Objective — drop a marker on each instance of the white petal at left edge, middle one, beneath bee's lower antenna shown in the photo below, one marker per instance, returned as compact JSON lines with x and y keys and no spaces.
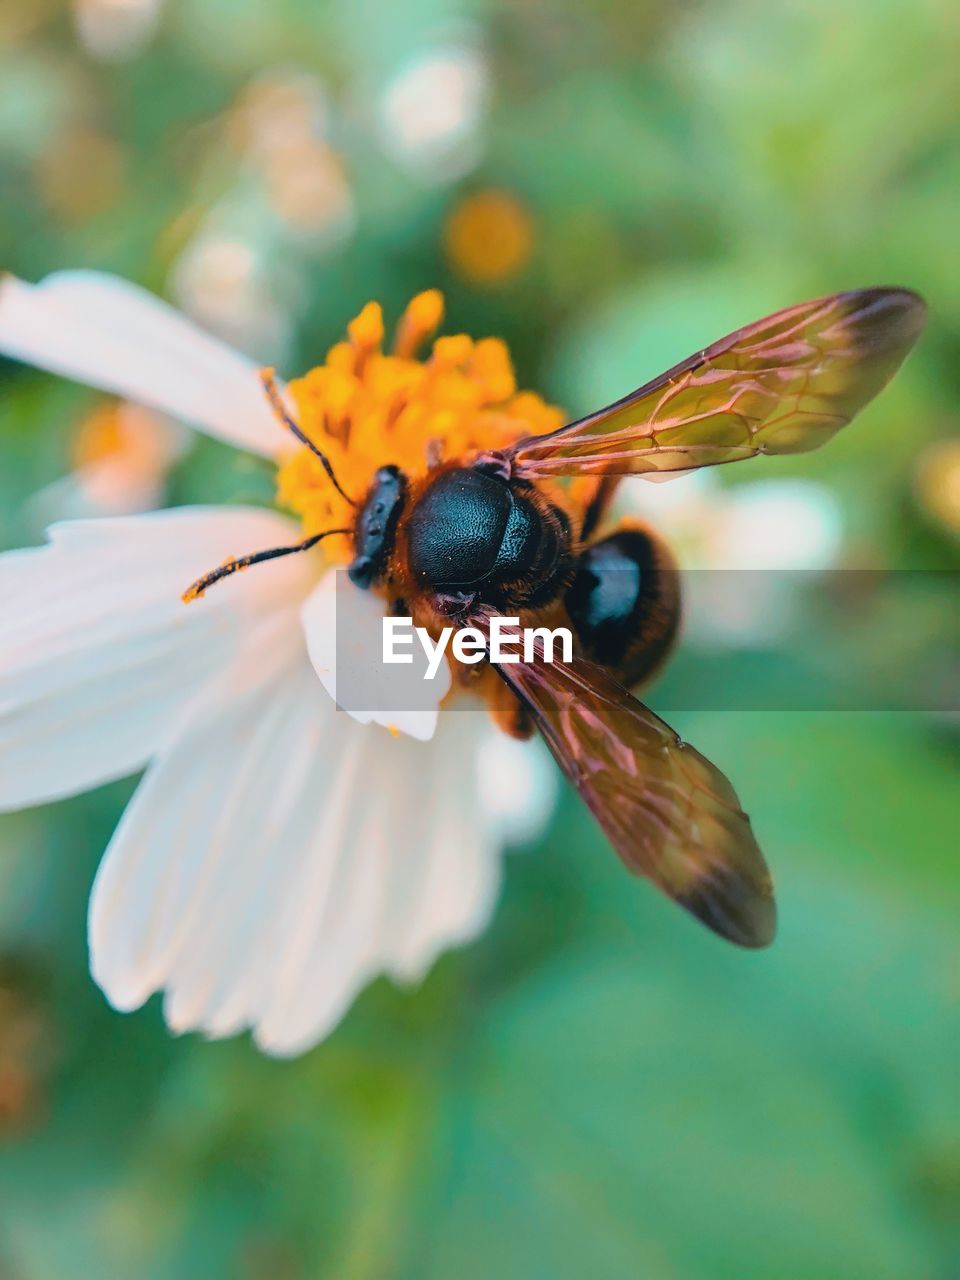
{"x":98,"y":652}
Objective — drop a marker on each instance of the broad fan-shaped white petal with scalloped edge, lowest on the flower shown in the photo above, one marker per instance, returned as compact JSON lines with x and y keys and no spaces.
{"x":278,"y":857}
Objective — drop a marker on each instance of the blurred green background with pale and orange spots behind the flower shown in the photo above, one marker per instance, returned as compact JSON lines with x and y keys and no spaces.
{"x":596,"y":1087}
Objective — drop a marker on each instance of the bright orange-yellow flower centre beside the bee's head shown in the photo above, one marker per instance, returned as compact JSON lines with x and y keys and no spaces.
{"x":367,"y":409}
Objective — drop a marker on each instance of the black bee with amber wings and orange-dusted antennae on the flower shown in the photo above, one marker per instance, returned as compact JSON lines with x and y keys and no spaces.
{"x":497,"y":534}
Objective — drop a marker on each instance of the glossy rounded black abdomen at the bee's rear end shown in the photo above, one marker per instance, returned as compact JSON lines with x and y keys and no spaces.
{"x":624,"y":604}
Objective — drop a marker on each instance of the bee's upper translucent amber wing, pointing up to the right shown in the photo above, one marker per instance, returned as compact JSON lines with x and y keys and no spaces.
{"x":785,"y":385}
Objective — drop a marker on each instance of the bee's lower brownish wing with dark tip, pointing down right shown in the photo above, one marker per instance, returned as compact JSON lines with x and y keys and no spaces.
{"x":670,"y":815}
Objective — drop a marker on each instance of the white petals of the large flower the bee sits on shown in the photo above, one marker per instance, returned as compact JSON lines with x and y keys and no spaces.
{"x":277,"y":854}
